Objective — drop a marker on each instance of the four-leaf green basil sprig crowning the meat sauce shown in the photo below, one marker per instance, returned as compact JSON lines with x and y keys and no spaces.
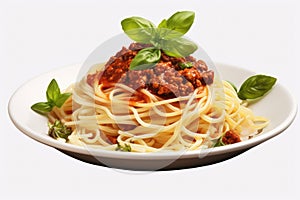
{"x":167,"y":37}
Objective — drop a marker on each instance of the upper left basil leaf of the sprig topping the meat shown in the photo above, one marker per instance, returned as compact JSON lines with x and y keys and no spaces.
{"x":138,"y":29}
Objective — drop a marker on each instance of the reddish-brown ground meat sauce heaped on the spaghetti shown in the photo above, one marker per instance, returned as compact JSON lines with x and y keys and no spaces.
{"x":166,"y":79}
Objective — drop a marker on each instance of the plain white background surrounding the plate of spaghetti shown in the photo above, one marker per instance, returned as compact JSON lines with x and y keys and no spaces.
{"x":39,"y":36}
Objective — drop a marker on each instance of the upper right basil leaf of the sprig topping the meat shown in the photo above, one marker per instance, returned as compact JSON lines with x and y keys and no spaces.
{"x":178,"y":24}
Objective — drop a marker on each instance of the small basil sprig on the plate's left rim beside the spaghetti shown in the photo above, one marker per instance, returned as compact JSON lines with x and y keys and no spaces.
{"x":54,"y":98}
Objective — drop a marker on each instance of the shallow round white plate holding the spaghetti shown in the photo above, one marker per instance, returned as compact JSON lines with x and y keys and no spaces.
{"x":35,"y":126}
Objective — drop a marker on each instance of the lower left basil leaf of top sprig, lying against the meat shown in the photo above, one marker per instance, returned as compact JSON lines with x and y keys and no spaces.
{"x":146,"y":58}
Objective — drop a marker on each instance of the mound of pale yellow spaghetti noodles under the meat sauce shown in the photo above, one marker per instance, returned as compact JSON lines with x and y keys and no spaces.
{"x":100,"y":117}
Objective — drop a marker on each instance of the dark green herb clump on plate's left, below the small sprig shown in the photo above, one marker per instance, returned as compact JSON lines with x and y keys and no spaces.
{"x":59,"y":130}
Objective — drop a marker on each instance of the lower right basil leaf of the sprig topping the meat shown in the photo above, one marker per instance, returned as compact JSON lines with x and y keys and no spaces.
{"x":179,"y":47}
